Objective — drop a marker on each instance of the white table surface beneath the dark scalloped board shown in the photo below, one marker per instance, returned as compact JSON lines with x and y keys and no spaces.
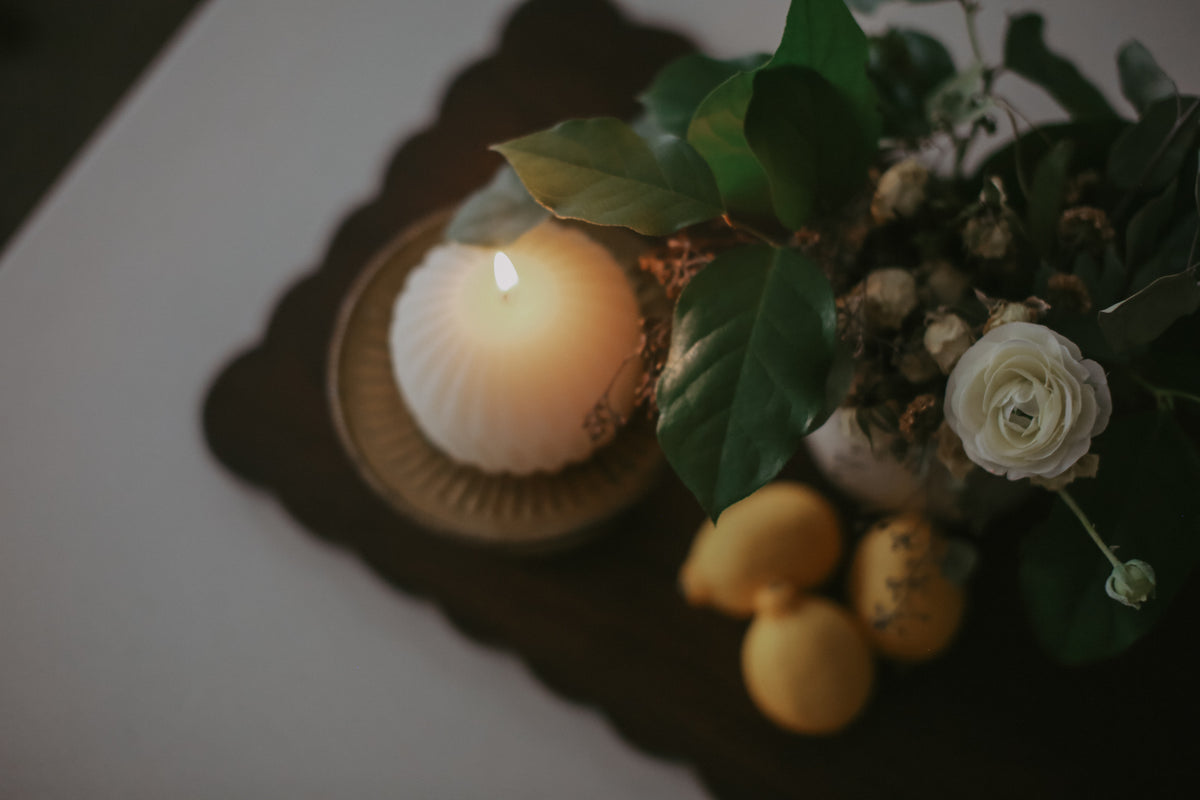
{"x":167,"y":631}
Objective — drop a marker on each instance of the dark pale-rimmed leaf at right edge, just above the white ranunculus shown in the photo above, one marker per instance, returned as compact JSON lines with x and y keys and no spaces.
{"x":1143,"y":317}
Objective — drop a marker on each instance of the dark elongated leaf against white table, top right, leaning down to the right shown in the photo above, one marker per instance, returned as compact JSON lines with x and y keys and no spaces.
{"x":1027,"y":55}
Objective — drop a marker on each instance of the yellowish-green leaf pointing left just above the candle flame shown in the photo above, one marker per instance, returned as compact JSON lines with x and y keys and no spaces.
{"x":601,"y":172}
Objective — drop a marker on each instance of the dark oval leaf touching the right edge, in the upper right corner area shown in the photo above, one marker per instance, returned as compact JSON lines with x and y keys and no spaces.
{"x":1150,"y":154}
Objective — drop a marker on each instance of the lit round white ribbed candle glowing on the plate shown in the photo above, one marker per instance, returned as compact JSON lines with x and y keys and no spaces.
{"x":502,"y":356}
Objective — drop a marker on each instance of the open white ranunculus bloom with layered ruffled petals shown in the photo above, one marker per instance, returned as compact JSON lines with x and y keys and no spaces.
{"x":1025,"y":402}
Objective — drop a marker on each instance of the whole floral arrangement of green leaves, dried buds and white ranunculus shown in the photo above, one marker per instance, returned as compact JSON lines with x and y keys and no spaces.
{"x":814,"y":221}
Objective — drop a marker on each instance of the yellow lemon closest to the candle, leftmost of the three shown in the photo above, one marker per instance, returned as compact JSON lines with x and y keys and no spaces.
{"x":784,"y":533}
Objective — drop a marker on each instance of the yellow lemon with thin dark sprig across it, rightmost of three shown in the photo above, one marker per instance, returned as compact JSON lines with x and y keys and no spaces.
{"x":909,"y":607}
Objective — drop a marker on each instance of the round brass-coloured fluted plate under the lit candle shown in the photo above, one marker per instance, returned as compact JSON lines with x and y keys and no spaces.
{"x":393,"y":456}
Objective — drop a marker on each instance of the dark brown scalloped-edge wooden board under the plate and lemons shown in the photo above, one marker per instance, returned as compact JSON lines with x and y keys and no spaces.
{"x":604,"y":624}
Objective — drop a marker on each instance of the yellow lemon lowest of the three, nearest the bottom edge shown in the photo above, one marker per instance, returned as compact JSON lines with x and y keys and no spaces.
{"x":807,"y":665}
